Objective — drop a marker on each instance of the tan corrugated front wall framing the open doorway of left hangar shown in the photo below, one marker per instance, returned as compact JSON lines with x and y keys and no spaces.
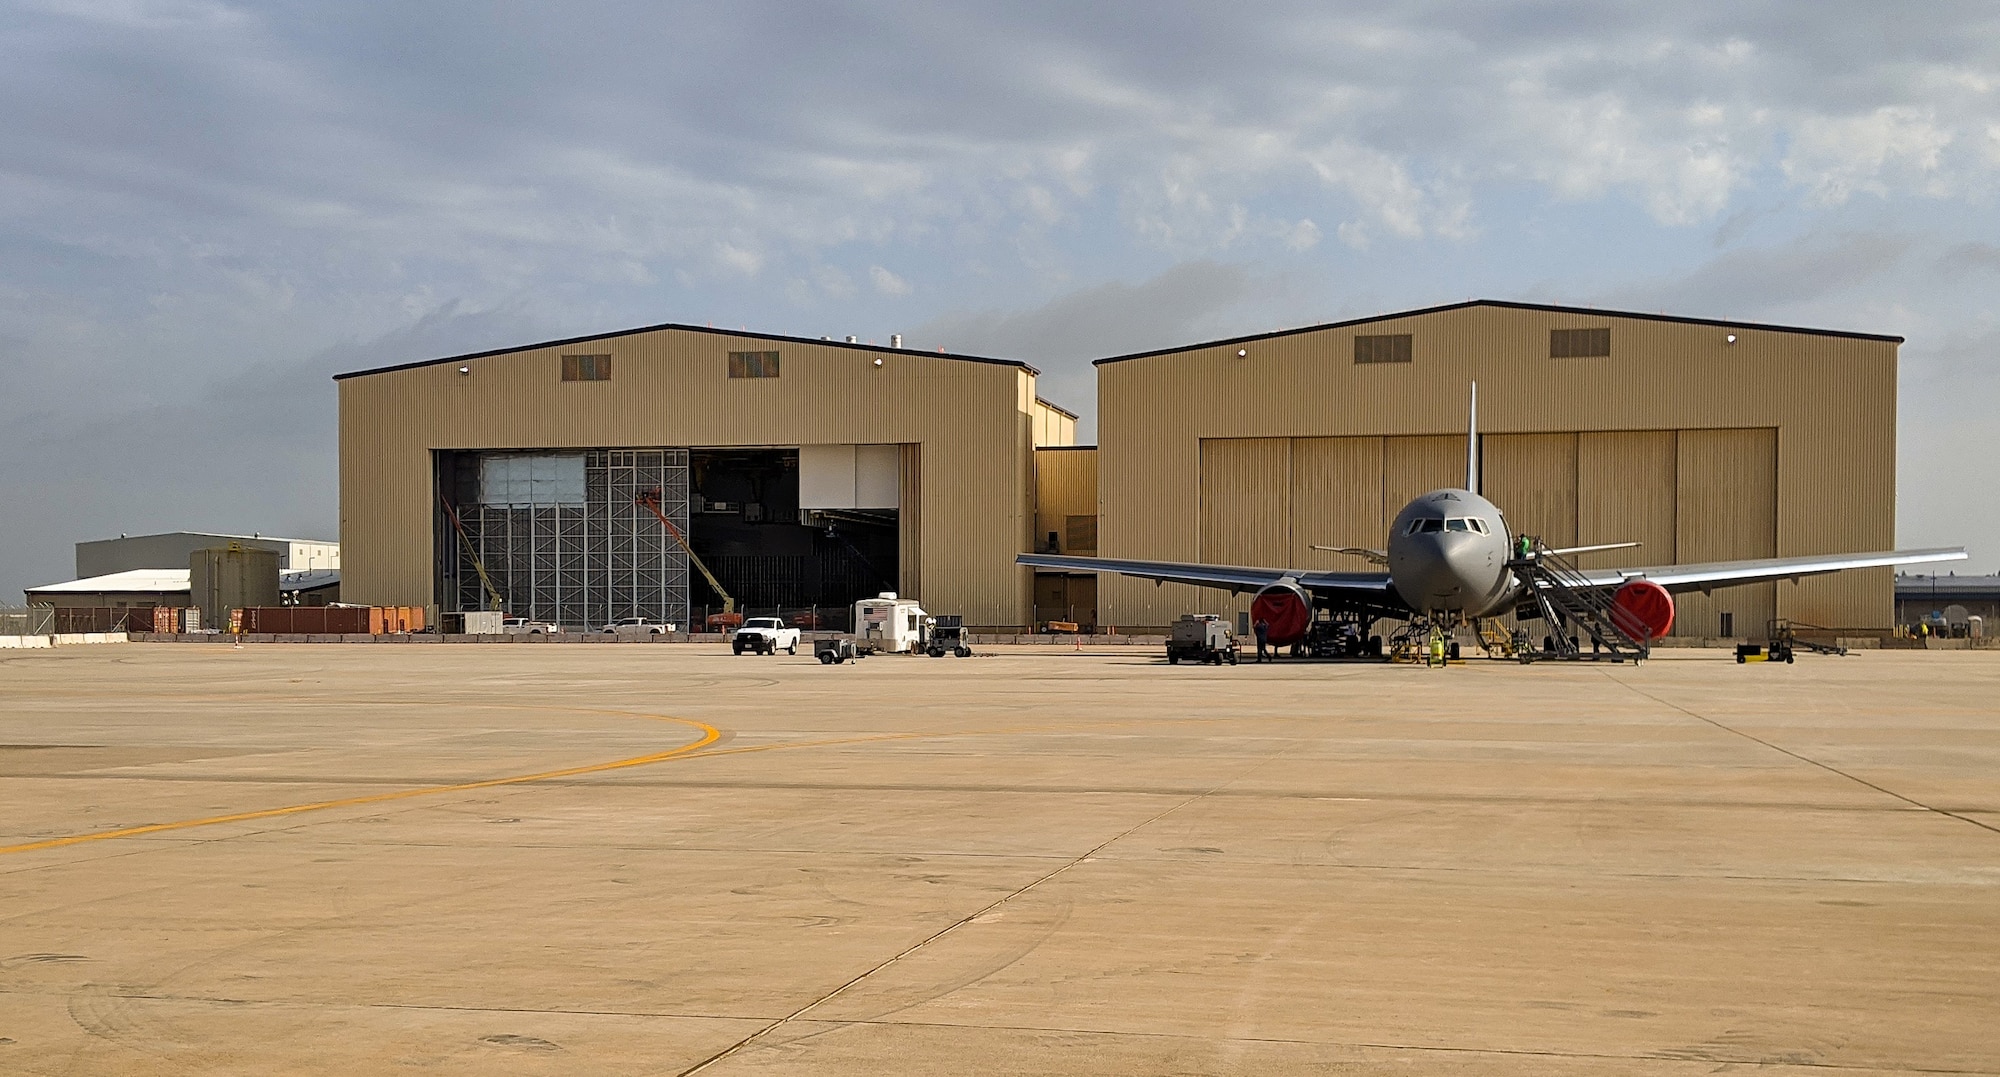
{"x":971,"y":421}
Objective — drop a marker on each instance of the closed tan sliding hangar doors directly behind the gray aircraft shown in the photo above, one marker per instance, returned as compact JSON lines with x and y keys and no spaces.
{"x":1685,"y":495}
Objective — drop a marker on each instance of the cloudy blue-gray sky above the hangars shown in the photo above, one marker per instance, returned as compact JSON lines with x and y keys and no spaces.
{"x":209,"y":207}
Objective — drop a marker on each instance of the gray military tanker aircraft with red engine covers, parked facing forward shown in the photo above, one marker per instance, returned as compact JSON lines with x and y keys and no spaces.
{"x":1451,"y":558}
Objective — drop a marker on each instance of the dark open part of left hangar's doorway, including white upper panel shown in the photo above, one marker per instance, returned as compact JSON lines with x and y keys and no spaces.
{"x":793,"y":529}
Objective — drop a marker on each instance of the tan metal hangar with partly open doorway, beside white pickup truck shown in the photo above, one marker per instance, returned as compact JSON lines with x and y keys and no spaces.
{"x":803,"y":473}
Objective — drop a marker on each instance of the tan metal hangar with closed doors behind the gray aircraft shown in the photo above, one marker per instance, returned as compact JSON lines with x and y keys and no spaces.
{"x":1701,"y":439}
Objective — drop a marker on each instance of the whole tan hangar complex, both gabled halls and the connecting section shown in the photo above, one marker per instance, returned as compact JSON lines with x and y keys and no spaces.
{"x":815,"y":471}
